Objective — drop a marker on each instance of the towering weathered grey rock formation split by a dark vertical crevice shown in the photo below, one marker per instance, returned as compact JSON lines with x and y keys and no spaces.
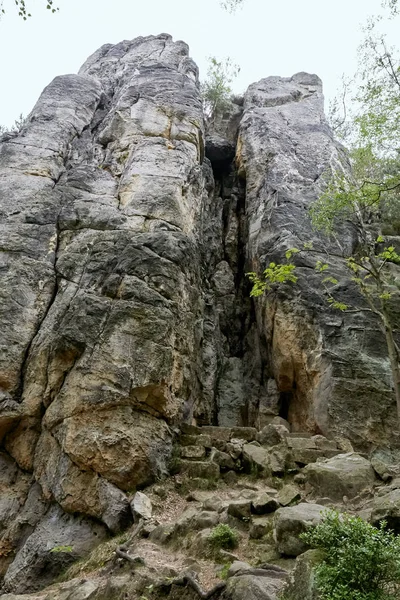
{"x":126,"y":233}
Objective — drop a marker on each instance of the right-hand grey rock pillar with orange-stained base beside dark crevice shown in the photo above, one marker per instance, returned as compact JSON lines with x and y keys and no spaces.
{"x":331,"y":370}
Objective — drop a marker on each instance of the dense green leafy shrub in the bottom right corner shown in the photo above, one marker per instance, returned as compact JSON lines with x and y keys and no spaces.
{"x":361,"y":562}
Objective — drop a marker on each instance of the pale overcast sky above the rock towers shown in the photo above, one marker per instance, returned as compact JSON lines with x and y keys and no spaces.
{"x":266,"y":37}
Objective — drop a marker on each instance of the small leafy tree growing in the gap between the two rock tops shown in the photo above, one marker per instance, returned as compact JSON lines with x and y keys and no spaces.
{"x":216,"y":89}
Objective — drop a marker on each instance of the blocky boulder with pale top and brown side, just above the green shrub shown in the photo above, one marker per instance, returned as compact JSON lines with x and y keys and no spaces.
{"x":290,"y":522}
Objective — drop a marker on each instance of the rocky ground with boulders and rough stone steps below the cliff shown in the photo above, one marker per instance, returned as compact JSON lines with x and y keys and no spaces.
{"x":168,"y":552}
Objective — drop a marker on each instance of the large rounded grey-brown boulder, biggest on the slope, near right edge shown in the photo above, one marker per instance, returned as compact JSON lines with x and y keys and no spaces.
{"x":343,"y":475}
